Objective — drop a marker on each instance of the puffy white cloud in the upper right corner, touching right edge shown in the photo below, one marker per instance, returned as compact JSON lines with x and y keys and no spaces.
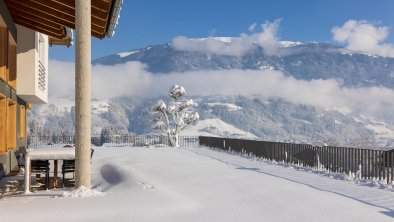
{"x":364,"y":36}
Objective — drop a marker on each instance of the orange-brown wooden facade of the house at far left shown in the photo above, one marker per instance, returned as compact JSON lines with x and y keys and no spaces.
{"x":12,"y":121}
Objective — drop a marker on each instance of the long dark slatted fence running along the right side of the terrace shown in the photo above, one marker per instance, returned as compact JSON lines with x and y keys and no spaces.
{"x":354,"y":162}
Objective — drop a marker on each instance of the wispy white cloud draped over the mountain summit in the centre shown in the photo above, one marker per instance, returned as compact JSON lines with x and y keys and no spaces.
{"x":238,"y":46}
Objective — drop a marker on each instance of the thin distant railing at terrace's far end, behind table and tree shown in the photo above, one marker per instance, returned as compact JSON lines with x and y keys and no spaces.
{"x":146,"y":140}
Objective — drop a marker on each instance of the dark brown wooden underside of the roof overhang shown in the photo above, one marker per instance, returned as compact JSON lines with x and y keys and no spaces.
{"x":52,"y":16}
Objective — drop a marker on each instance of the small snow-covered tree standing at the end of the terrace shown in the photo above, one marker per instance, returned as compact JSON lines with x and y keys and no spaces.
{"x":172,"y":119}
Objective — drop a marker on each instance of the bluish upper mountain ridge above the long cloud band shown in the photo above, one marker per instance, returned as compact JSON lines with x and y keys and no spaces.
{"x":302,"y":60}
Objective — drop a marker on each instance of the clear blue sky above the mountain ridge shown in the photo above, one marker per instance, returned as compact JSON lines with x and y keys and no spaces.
{"x":149,"y":22}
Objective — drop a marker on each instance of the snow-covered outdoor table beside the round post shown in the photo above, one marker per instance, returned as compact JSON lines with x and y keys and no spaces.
{"x":45,"y":154}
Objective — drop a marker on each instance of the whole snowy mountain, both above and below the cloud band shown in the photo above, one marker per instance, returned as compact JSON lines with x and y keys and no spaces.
{"x":248,"y":117}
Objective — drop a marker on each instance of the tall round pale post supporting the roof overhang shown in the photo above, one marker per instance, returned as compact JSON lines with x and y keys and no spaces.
{"x":82,"y":93}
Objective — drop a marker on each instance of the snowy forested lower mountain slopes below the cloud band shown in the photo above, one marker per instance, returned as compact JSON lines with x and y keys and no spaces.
{"x":229,"y":116}
